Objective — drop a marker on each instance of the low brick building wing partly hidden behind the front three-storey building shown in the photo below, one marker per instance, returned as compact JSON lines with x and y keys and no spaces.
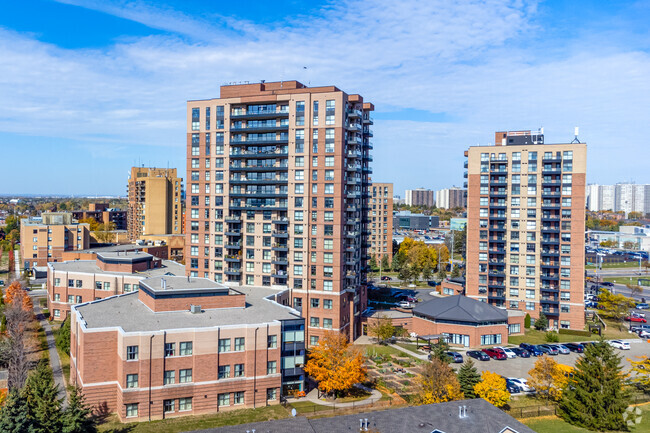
{"x":100,"y":274}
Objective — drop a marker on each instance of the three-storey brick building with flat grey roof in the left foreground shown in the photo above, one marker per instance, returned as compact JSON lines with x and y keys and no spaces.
{"x":186,"y":346}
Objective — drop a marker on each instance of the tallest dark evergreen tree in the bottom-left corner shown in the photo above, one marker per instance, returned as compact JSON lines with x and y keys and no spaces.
{"x":43,"y":404}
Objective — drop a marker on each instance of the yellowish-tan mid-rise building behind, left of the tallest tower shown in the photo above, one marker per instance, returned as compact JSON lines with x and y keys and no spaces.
{"x":155,"y":205}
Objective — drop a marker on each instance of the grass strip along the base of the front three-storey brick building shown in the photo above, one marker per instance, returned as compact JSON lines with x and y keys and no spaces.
{"x":189,"y":423}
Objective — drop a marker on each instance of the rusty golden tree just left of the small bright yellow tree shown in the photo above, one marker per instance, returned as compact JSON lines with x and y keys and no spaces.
{"x":438,"y":383}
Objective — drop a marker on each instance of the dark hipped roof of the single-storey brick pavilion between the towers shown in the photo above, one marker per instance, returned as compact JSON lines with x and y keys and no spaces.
{"x":460,"y":308}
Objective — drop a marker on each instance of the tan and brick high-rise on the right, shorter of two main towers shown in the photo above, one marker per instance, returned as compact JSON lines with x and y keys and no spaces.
{"x":526,"y":224}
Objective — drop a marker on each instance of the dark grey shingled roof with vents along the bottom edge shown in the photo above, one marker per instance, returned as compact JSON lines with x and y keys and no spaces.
{"x":481,"y":417}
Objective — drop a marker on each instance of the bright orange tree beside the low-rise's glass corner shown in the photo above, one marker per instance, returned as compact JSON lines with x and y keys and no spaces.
{"x":335,"y":365}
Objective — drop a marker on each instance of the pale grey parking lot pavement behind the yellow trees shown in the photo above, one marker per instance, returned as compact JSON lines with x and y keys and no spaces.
{"x":519,"y":367}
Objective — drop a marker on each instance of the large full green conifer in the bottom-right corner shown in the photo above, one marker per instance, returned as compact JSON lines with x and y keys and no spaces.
{"x":595,"y":398}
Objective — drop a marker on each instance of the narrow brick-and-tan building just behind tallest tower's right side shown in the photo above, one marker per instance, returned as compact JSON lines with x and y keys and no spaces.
{"x":381,"y":220}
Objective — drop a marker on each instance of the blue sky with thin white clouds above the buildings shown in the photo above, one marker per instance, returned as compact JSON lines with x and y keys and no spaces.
{"x":90,"y":88}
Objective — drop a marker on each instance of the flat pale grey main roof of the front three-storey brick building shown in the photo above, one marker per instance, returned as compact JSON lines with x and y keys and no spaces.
{"x":130,"y":314}
